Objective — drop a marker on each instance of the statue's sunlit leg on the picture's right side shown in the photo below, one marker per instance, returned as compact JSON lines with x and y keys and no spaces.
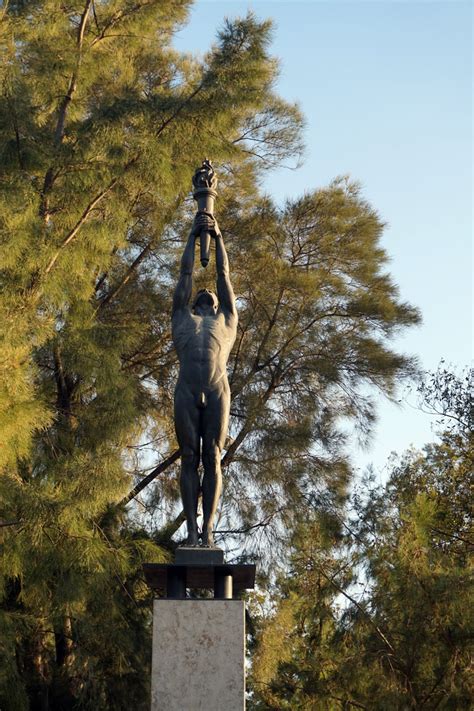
{"x":215,"y":422}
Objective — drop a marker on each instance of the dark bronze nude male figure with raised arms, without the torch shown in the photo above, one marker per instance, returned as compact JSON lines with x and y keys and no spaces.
{"x":203,"y":335}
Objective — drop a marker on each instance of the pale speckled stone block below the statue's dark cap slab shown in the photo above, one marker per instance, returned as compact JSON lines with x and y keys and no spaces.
{"x":198,"y":655}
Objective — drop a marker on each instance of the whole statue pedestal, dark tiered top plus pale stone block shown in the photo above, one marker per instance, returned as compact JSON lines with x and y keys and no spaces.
{"x":198,"y":644}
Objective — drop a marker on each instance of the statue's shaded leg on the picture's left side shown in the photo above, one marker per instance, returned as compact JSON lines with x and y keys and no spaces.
{"x":186,"y":420}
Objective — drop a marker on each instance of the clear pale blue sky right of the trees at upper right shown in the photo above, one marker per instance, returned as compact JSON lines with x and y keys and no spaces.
{"x":386,"y":88}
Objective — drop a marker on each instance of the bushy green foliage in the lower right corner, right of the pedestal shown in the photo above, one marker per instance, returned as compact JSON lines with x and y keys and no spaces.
{"x":379,"y":618}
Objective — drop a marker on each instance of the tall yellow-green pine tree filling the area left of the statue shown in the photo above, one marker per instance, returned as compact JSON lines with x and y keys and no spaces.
{"x":102,"y":124}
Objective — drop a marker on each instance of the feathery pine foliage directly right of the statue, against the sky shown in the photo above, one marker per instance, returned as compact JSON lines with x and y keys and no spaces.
{"x":316,"y":309}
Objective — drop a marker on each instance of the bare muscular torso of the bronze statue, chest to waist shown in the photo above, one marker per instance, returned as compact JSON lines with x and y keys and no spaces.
{"x":203,"y":345}
